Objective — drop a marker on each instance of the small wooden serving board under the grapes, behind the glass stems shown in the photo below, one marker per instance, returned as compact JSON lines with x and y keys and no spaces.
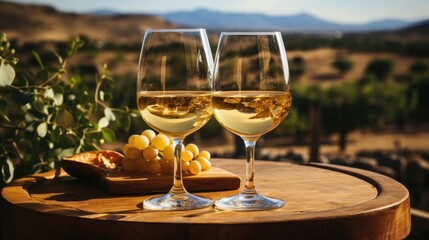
{"x":215,"y":179}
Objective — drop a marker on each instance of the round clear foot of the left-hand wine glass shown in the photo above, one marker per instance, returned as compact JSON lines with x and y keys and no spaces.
{"x":185,"y":201}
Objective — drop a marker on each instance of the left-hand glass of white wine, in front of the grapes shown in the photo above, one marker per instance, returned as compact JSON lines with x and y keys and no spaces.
{"x":174,"y":97}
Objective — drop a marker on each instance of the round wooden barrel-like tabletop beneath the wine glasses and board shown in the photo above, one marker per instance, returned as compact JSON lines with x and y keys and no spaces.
{"x":322,"y":202}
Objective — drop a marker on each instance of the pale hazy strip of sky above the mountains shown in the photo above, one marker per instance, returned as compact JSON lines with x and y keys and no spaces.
{"x":340,"y":11}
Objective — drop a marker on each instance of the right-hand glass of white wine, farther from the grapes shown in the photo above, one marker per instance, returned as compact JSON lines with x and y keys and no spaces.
{"x":251,"y":96}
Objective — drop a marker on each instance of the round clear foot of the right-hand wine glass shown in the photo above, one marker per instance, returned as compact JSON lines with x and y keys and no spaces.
{"x":249,"y":202}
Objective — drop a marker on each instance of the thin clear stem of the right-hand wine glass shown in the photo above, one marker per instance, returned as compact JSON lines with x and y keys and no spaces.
{"x":249,"y":187}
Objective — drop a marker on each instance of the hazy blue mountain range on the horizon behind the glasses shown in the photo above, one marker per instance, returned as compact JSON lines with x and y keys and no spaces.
{"x":294,"y":23}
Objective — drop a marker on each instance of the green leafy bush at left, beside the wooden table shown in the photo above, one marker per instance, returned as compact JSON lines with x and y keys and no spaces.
{"x":48,"y":113}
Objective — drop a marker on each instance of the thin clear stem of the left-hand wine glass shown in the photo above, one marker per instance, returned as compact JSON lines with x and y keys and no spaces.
{"x":178,"y":187}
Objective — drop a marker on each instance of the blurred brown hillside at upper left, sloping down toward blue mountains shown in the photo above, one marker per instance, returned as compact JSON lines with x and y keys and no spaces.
{"x":38,"y":22}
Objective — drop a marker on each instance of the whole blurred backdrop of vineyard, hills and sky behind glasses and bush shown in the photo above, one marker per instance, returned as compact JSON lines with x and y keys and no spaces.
{"x":360,"y":71}
